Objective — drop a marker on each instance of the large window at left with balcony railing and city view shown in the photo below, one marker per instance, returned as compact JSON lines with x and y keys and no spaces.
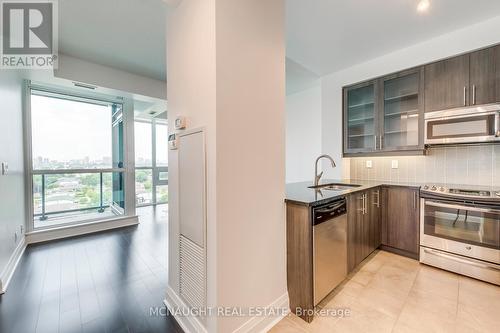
{"x":77,"y":159}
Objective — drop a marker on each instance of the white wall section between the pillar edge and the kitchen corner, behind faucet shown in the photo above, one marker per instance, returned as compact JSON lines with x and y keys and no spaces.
{"x":303,"y":133}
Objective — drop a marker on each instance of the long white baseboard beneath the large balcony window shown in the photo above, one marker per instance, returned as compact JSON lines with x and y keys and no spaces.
{"x":81,"y":229}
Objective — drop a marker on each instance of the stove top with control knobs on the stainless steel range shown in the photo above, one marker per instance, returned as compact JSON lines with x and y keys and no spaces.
{"x":462,"y":191}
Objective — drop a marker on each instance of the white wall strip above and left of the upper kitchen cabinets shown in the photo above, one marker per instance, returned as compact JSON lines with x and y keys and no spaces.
{"x":457,"y":42}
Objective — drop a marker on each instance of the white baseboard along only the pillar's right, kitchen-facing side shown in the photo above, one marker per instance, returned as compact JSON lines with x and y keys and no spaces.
{"x":265,"y":323}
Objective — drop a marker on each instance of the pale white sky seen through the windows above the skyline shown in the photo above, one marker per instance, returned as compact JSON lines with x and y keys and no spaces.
{"x":66,"y":130}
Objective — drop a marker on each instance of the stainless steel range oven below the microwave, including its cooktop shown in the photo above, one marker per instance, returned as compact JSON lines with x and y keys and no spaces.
{"x":460,"y":231}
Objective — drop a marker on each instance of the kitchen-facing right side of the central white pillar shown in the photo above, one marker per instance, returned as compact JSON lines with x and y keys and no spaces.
{"x":251,"y":255}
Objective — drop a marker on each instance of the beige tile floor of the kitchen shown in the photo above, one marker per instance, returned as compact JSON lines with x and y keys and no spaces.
{"x":390,"y":293}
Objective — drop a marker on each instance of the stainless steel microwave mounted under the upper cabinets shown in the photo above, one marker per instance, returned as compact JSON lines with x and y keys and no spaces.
{"x":467,"y":125}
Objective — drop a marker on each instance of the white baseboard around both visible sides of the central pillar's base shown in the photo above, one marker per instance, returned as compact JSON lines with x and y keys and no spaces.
{"x":254,"y":324}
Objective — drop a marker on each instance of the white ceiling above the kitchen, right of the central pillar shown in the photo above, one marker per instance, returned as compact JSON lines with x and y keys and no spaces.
{"x":328,"y":35}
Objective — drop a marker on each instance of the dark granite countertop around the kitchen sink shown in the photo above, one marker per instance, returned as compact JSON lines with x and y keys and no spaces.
{"x":300,"y":193}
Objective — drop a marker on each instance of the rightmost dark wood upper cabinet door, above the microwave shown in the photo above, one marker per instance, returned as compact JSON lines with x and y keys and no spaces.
{"x":485,"y":76}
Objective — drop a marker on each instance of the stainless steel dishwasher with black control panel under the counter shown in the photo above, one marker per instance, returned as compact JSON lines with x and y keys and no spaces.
{"x":330,"y":247}
